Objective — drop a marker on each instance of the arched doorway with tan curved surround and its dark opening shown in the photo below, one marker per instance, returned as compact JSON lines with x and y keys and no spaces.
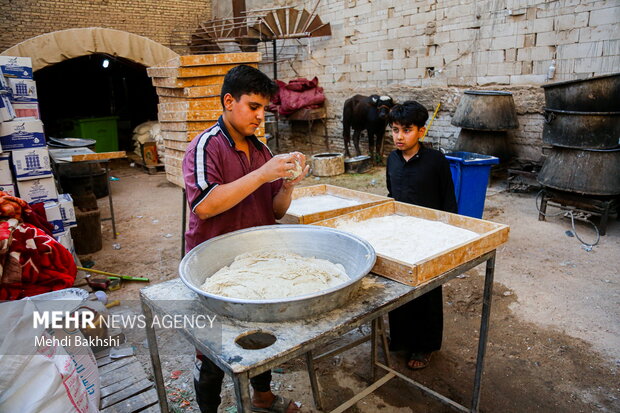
{"x":93,"y":73}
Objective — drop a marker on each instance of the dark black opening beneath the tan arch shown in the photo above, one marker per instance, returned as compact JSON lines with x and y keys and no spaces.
{"x":95,"y":86}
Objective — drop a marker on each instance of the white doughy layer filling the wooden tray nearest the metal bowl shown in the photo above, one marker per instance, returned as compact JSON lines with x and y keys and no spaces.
{"x":407,"y":239}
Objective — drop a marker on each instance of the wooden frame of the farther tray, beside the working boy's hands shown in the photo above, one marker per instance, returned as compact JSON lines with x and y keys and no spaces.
{"x":366,"y":200}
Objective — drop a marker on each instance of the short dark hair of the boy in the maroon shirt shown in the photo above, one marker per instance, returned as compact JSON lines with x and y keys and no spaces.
{"x":244,"y":80}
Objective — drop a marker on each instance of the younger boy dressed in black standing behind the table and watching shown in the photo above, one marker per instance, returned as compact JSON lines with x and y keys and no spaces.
{"x":421,"y":176}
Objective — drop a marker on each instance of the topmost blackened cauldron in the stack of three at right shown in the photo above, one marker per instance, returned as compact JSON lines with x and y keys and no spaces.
{"x":596,"y":94}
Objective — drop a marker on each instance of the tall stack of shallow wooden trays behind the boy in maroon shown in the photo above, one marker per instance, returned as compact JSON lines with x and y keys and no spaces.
{"x":188,"y":88}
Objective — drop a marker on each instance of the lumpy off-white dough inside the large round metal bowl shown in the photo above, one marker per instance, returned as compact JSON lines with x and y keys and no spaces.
{"x":270,"y":275}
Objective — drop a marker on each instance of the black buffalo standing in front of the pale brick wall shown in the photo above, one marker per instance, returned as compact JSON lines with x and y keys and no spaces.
{"x":369,"y":113}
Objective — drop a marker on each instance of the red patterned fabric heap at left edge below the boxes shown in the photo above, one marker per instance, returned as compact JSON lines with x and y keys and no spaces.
{"x":31,"y":261}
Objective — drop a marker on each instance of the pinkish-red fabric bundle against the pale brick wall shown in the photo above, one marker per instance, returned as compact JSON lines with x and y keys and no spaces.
{"x":298,"y":94}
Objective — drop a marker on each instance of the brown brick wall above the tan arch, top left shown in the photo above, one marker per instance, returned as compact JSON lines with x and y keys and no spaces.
{"x":166,"y":22}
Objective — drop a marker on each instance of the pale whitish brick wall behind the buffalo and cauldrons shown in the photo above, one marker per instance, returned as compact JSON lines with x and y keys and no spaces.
{"x":433,"y":50}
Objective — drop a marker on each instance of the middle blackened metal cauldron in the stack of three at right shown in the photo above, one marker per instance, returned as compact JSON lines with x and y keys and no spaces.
{"x":588,"y":130}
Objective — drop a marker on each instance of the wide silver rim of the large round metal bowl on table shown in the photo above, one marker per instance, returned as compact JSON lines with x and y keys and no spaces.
{"x":197,"y":290}
